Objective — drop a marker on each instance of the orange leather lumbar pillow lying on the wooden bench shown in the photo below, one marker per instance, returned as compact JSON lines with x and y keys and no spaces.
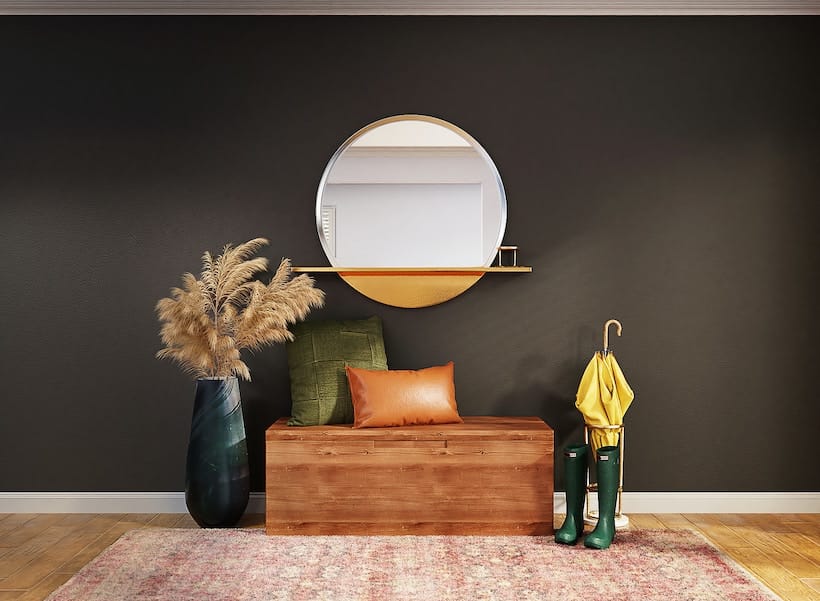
{"x":403,"y":397}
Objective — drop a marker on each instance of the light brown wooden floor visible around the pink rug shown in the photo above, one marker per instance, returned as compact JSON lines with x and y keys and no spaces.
{"x":39,"y":552}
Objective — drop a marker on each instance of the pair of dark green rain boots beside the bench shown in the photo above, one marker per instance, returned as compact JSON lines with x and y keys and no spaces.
{"x":575,"y":471}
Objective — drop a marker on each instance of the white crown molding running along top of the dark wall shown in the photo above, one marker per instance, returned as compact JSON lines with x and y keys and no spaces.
{"x":408,"y":7}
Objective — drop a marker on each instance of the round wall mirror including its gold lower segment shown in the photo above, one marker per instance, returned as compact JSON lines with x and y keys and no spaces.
{"x":402,"y":200}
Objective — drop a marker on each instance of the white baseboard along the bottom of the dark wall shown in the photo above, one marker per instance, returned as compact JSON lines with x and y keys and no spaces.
{"x":633,"y":502}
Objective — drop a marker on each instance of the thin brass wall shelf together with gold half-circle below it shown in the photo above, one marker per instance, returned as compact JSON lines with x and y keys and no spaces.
{"x":411,"y":287}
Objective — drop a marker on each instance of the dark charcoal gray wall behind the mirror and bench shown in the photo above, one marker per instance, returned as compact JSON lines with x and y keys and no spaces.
{"x":661,"y":171}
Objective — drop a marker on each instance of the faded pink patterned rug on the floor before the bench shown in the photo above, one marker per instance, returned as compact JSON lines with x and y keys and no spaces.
{"x":247,"y":565}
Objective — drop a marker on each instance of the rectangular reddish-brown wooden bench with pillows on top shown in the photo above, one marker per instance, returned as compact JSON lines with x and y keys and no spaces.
{"x":489,"y":475}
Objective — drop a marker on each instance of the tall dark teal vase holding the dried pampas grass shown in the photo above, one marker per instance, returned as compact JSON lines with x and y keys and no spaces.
{"x":217,"y":481}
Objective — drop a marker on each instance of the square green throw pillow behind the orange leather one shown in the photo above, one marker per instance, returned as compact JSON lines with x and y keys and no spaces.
{"x":317,"y":358}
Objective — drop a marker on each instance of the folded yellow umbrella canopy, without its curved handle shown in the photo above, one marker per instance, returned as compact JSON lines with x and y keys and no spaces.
{"x":603,"y":398}
